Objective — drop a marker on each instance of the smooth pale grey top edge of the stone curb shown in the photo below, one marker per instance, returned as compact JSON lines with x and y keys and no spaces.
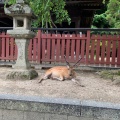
{"x":64,"y":101}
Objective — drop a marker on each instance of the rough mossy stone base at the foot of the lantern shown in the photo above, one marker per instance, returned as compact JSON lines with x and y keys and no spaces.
{"x":22,"y":74}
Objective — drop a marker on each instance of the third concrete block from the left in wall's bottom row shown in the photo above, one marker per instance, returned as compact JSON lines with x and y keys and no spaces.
{"x":55,"y":117}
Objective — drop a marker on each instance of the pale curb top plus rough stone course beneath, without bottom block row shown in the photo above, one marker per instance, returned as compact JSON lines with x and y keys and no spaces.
{"x":61,"y":106}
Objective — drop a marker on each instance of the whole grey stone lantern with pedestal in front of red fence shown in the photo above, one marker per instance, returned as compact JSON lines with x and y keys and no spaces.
{"x":22,"y":15}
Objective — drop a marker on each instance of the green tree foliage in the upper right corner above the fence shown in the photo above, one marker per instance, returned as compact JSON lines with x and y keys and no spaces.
{"x":109,"y":17}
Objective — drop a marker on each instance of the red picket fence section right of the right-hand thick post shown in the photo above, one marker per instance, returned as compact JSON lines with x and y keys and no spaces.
{"x":105,"y":49}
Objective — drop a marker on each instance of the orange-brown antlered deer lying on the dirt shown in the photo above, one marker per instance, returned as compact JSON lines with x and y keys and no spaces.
{"x":61,"y":72}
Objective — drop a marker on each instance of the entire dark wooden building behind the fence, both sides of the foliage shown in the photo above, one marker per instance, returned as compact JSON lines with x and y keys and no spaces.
{"x":81,"y":13}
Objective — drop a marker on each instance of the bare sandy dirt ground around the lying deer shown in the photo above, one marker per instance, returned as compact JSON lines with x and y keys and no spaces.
{"x":95,"y":88}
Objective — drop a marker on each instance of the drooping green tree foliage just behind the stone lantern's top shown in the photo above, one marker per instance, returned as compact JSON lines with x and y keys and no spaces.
{"x":48,"y":12}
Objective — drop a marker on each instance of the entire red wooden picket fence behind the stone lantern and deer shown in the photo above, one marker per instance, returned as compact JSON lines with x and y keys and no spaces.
{"x":94,"y":49}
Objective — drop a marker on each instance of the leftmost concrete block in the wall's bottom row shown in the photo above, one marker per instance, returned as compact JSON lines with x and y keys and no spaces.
{"x":12,"y":115}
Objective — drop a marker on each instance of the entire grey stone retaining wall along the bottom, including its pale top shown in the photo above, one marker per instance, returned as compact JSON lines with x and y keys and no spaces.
{"x":14,"y":107}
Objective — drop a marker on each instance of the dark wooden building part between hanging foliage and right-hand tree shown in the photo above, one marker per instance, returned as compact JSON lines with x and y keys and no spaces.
{"x":82,"y":11}
